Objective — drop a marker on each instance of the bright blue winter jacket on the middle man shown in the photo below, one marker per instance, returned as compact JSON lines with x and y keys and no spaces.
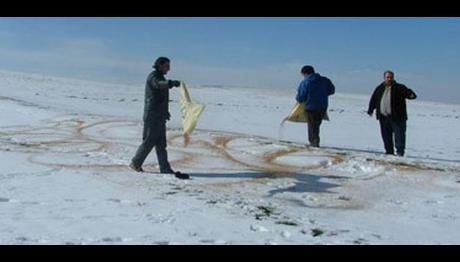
{"x":314,"y":91}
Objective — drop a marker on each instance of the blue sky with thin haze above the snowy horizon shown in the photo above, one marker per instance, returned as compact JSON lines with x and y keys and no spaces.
{"x":257,"y":52}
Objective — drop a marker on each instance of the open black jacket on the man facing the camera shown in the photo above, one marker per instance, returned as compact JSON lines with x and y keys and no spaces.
{"x":399,"y":94}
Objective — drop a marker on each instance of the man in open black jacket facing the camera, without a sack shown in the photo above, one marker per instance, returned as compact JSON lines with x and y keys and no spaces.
{"x":389,"y":101}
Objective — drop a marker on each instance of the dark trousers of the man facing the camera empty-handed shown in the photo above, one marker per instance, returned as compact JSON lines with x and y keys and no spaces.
{"x":390,"y":127}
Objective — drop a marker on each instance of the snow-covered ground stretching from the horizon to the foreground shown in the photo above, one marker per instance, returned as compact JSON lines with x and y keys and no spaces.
{"x":65,"y":145}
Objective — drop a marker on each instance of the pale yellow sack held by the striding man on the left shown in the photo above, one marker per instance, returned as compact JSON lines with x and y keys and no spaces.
{"x":190,"y":113}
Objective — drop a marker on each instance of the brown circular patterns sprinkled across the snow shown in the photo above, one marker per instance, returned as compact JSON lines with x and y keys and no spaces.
{"x":110,"y":143}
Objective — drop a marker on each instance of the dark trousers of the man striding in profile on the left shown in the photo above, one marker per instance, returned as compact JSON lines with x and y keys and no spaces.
{"x":154,"y":135}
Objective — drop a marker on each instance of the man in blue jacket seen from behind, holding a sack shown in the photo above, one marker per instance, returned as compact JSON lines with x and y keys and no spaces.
{"x":314,"y":91}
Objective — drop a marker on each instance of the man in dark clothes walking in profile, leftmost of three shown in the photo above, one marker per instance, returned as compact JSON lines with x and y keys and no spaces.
{"x":156,"y":113}
